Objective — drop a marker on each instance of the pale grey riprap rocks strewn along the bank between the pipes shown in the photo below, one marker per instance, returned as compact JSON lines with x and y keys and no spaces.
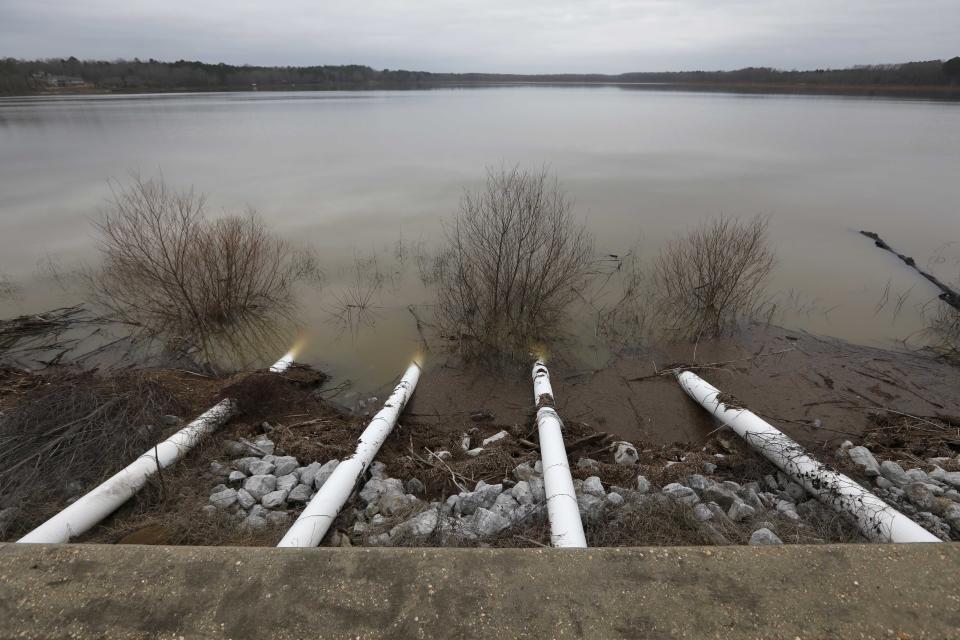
{"x":489,"y":510}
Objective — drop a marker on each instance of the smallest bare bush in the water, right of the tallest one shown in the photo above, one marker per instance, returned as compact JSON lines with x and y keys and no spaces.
{"x":713,"y":277}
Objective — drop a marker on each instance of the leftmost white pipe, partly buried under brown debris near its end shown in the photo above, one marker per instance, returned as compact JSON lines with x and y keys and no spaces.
{"x":106,"y":498}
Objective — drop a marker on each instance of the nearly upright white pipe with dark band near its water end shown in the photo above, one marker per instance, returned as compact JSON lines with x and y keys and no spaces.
{"x":566,"y":528}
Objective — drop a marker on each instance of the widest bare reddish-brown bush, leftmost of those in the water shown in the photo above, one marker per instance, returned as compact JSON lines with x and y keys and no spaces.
{"x":222,"y":285}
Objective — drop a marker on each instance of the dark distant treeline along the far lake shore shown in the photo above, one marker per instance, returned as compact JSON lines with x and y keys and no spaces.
{"x":71,"y":74}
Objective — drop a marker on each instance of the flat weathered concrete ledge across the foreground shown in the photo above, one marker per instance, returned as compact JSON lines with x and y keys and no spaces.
{"x":837,"y":591}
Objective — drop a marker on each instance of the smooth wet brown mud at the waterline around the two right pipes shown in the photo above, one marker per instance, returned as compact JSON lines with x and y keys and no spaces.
{"x":818,"y":390}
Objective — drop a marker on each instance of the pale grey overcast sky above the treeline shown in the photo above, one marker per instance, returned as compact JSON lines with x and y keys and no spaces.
{"x":607,"y":36}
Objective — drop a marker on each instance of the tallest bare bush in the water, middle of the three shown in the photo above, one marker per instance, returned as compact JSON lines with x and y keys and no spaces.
{"x":515,"y":259}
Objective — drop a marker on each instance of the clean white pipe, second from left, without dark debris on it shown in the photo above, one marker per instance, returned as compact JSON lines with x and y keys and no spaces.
{"x":315,"y":521}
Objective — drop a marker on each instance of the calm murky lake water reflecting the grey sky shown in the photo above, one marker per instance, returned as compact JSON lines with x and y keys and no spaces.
{"x":361,"y":174}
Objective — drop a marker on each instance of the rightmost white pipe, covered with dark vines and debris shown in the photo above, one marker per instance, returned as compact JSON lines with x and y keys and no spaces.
{"x":876,"y":519}
